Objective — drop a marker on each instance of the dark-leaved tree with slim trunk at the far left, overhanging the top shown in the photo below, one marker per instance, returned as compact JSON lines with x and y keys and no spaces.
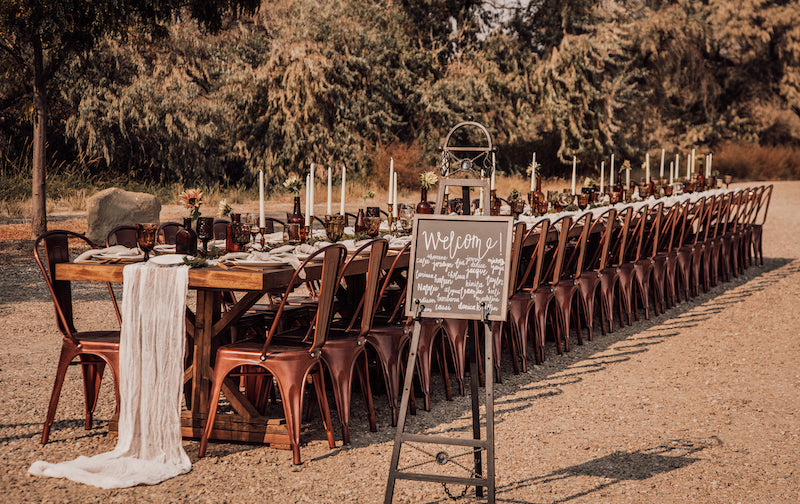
{"x":39,"y":36}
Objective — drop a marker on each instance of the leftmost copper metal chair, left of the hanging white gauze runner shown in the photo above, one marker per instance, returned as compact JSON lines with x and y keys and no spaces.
{"x":95,"y":349}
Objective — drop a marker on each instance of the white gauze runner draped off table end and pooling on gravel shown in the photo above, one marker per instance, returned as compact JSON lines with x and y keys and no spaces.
{"x":149,"y":448}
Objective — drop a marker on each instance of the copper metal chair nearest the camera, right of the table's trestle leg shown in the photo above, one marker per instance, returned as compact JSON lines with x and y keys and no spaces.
{"x":290,"y":365}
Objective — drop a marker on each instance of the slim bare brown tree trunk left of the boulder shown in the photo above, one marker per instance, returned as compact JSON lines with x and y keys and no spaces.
{"x":39,"y":200}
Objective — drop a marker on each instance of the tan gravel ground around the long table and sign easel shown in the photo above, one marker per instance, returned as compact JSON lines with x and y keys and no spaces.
{"x":699,"y":404}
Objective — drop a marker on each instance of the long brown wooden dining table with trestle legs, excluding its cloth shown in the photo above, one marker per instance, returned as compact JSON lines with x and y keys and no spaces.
{"x":205,"y":326}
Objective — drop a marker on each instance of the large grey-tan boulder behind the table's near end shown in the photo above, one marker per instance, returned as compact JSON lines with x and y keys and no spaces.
{"x":116,"y":207}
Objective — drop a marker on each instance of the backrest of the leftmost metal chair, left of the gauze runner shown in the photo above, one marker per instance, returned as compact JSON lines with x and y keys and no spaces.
{"x":54,"y":246}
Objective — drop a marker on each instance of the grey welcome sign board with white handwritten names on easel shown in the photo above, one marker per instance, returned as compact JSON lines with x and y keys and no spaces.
{"x":457,"y":263}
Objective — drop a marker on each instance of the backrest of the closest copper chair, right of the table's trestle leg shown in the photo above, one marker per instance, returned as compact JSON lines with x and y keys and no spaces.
{"x":331,"y":267}
